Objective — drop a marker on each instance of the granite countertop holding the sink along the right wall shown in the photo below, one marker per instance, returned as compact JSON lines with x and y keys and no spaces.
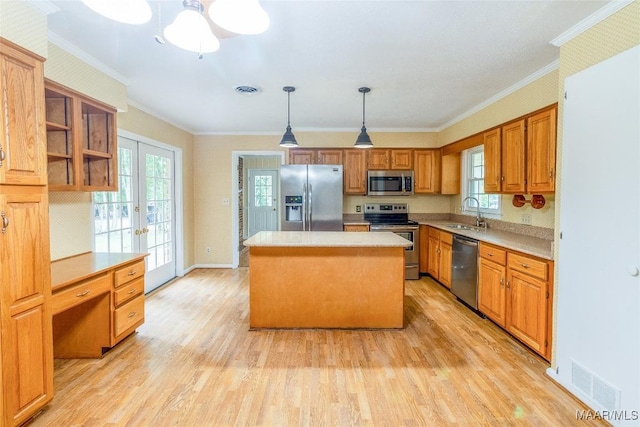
{"x":535,"y":246}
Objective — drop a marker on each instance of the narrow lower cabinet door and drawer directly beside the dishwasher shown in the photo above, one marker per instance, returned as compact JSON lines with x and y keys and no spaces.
{"x":492,"y":274}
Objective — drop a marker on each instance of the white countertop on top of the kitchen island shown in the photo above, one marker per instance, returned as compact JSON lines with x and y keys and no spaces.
{"x":326,"y":239}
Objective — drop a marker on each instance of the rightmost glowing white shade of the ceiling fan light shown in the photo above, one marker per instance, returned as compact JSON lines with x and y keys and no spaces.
{"x":239,"y":16}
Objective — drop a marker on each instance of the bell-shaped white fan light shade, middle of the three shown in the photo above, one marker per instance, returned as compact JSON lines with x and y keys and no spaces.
{"x":190,"y":30}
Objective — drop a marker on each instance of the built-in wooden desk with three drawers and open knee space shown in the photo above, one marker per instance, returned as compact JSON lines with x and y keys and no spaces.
{"x":97,"y":301}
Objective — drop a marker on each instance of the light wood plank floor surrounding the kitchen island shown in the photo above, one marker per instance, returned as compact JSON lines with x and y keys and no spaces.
{"x":195,"y":363}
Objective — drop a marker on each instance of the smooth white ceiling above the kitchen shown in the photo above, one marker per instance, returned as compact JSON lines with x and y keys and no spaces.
{"x":427,"y":62}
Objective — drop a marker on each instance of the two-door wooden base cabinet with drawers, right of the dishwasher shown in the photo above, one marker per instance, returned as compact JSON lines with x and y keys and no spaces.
{"x":514,"y":290}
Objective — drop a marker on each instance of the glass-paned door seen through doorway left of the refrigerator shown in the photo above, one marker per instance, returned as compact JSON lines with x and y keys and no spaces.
{"x":262,"y":201}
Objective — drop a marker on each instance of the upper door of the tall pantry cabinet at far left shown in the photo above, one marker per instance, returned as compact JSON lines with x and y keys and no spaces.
{"x":23,"y":153}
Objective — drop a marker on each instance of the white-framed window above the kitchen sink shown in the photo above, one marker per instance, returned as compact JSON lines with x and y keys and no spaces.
{"x":473,"y":184}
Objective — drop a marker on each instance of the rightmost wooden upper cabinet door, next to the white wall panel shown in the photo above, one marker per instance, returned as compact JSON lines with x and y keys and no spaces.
{"x":541,"y":152}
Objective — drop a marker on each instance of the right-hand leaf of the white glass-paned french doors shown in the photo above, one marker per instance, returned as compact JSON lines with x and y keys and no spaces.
{"x":157,"y":213}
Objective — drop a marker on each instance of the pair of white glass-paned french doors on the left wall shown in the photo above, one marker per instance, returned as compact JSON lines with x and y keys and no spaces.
{"x":140,"y":216}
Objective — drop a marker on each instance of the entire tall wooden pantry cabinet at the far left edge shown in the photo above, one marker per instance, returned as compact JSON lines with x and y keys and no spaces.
{"x":26,"y":371}
